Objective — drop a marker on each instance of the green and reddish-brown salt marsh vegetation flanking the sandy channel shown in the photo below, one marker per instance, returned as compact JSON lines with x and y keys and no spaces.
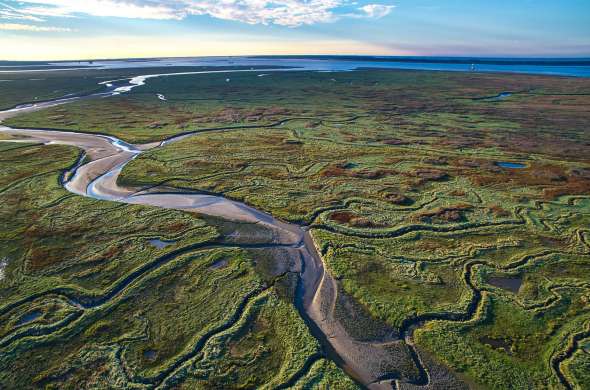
{"x":455,"y":228}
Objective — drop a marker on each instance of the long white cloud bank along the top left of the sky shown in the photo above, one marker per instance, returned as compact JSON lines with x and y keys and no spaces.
{"x":290,"y":13}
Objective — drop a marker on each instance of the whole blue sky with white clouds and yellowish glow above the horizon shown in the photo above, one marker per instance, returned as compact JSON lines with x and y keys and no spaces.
{"x":92,"y":29}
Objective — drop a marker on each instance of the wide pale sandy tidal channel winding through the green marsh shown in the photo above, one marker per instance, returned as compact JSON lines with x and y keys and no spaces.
{"x":107,"y":156}
